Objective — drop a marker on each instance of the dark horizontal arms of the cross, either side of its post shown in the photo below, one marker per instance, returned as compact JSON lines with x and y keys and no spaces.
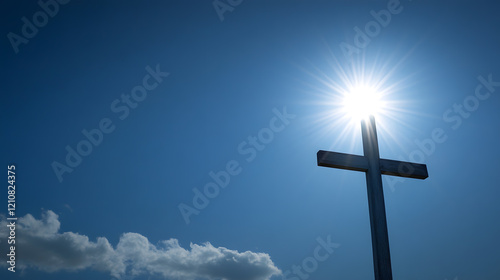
{"x":360,"y":163}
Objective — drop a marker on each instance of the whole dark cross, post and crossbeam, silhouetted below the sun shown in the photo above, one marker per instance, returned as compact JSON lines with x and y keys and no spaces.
{"x":374,"y":167}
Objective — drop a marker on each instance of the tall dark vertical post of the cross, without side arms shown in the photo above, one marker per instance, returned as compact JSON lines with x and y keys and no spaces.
{"x":376,"y":204}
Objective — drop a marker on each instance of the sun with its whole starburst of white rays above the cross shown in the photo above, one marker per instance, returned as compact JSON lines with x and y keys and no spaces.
{"x":347,"y":93}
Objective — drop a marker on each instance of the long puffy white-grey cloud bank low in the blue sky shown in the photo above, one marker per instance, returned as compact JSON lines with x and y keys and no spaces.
{"x":40,"y":245}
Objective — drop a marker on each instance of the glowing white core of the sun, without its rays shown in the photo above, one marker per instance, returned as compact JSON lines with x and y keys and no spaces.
{"x":360,"y":102}
